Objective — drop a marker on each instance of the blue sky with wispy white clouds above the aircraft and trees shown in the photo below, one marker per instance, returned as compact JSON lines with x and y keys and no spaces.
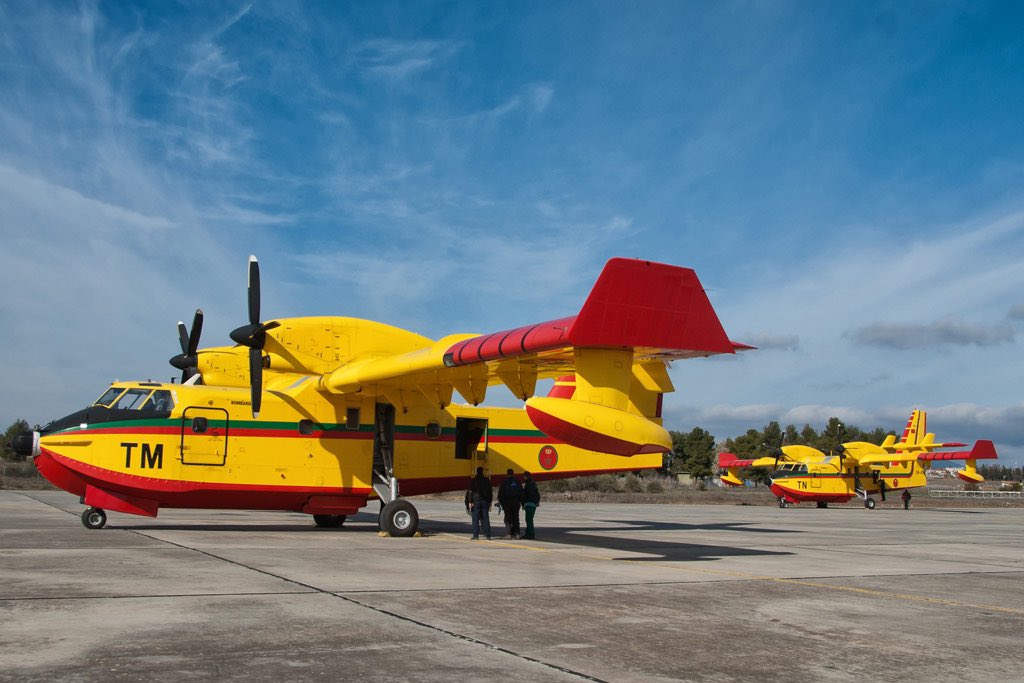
{"x":846,"y":179}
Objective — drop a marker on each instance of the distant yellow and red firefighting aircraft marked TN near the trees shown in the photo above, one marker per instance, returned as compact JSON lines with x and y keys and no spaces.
{"x":803,"y":475}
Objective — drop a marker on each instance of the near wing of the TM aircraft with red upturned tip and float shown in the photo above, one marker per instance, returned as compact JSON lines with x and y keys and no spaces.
{"x":639,"y":316}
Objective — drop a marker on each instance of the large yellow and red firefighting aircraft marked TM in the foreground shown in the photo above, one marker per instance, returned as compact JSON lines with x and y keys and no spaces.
{"x":320,"y":415}
